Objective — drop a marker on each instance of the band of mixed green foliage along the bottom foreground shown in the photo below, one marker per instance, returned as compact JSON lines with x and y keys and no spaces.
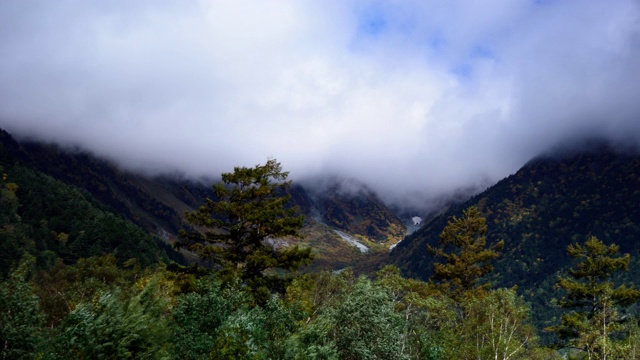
{"x":135,"y":314}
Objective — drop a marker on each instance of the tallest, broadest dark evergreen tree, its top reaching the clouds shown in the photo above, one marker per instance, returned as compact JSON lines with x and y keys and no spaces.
{"x":243,"y":225}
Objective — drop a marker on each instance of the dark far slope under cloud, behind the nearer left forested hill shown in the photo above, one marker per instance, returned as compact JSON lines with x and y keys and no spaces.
{"x":155,"y":205}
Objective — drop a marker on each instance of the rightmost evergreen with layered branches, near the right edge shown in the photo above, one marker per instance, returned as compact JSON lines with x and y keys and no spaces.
{"x":595,"y":301}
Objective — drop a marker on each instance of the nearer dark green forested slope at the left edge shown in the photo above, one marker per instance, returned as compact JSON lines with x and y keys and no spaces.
{"x":53,"y":221}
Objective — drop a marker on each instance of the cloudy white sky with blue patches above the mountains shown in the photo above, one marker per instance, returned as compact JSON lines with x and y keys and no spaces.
{"x":416,"y":99}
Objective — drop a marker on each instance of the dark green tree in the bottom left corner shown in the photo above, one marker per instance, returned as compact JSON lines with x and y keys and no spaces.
{"x":21,"y":331}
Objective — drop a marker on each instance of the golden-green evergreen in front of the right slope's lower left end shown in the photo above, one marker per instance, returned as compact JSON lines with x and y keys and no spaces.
{"x":471,"y":259}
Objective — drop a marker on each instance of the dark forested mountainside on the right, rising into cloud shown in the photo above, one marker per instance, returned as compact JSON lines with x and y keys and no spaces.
{"x":551,"y":202}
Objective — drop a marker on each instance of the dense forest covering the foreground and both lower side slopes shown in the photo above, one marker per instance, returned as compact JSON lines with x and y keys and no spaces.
{"x":81,"y":281}
